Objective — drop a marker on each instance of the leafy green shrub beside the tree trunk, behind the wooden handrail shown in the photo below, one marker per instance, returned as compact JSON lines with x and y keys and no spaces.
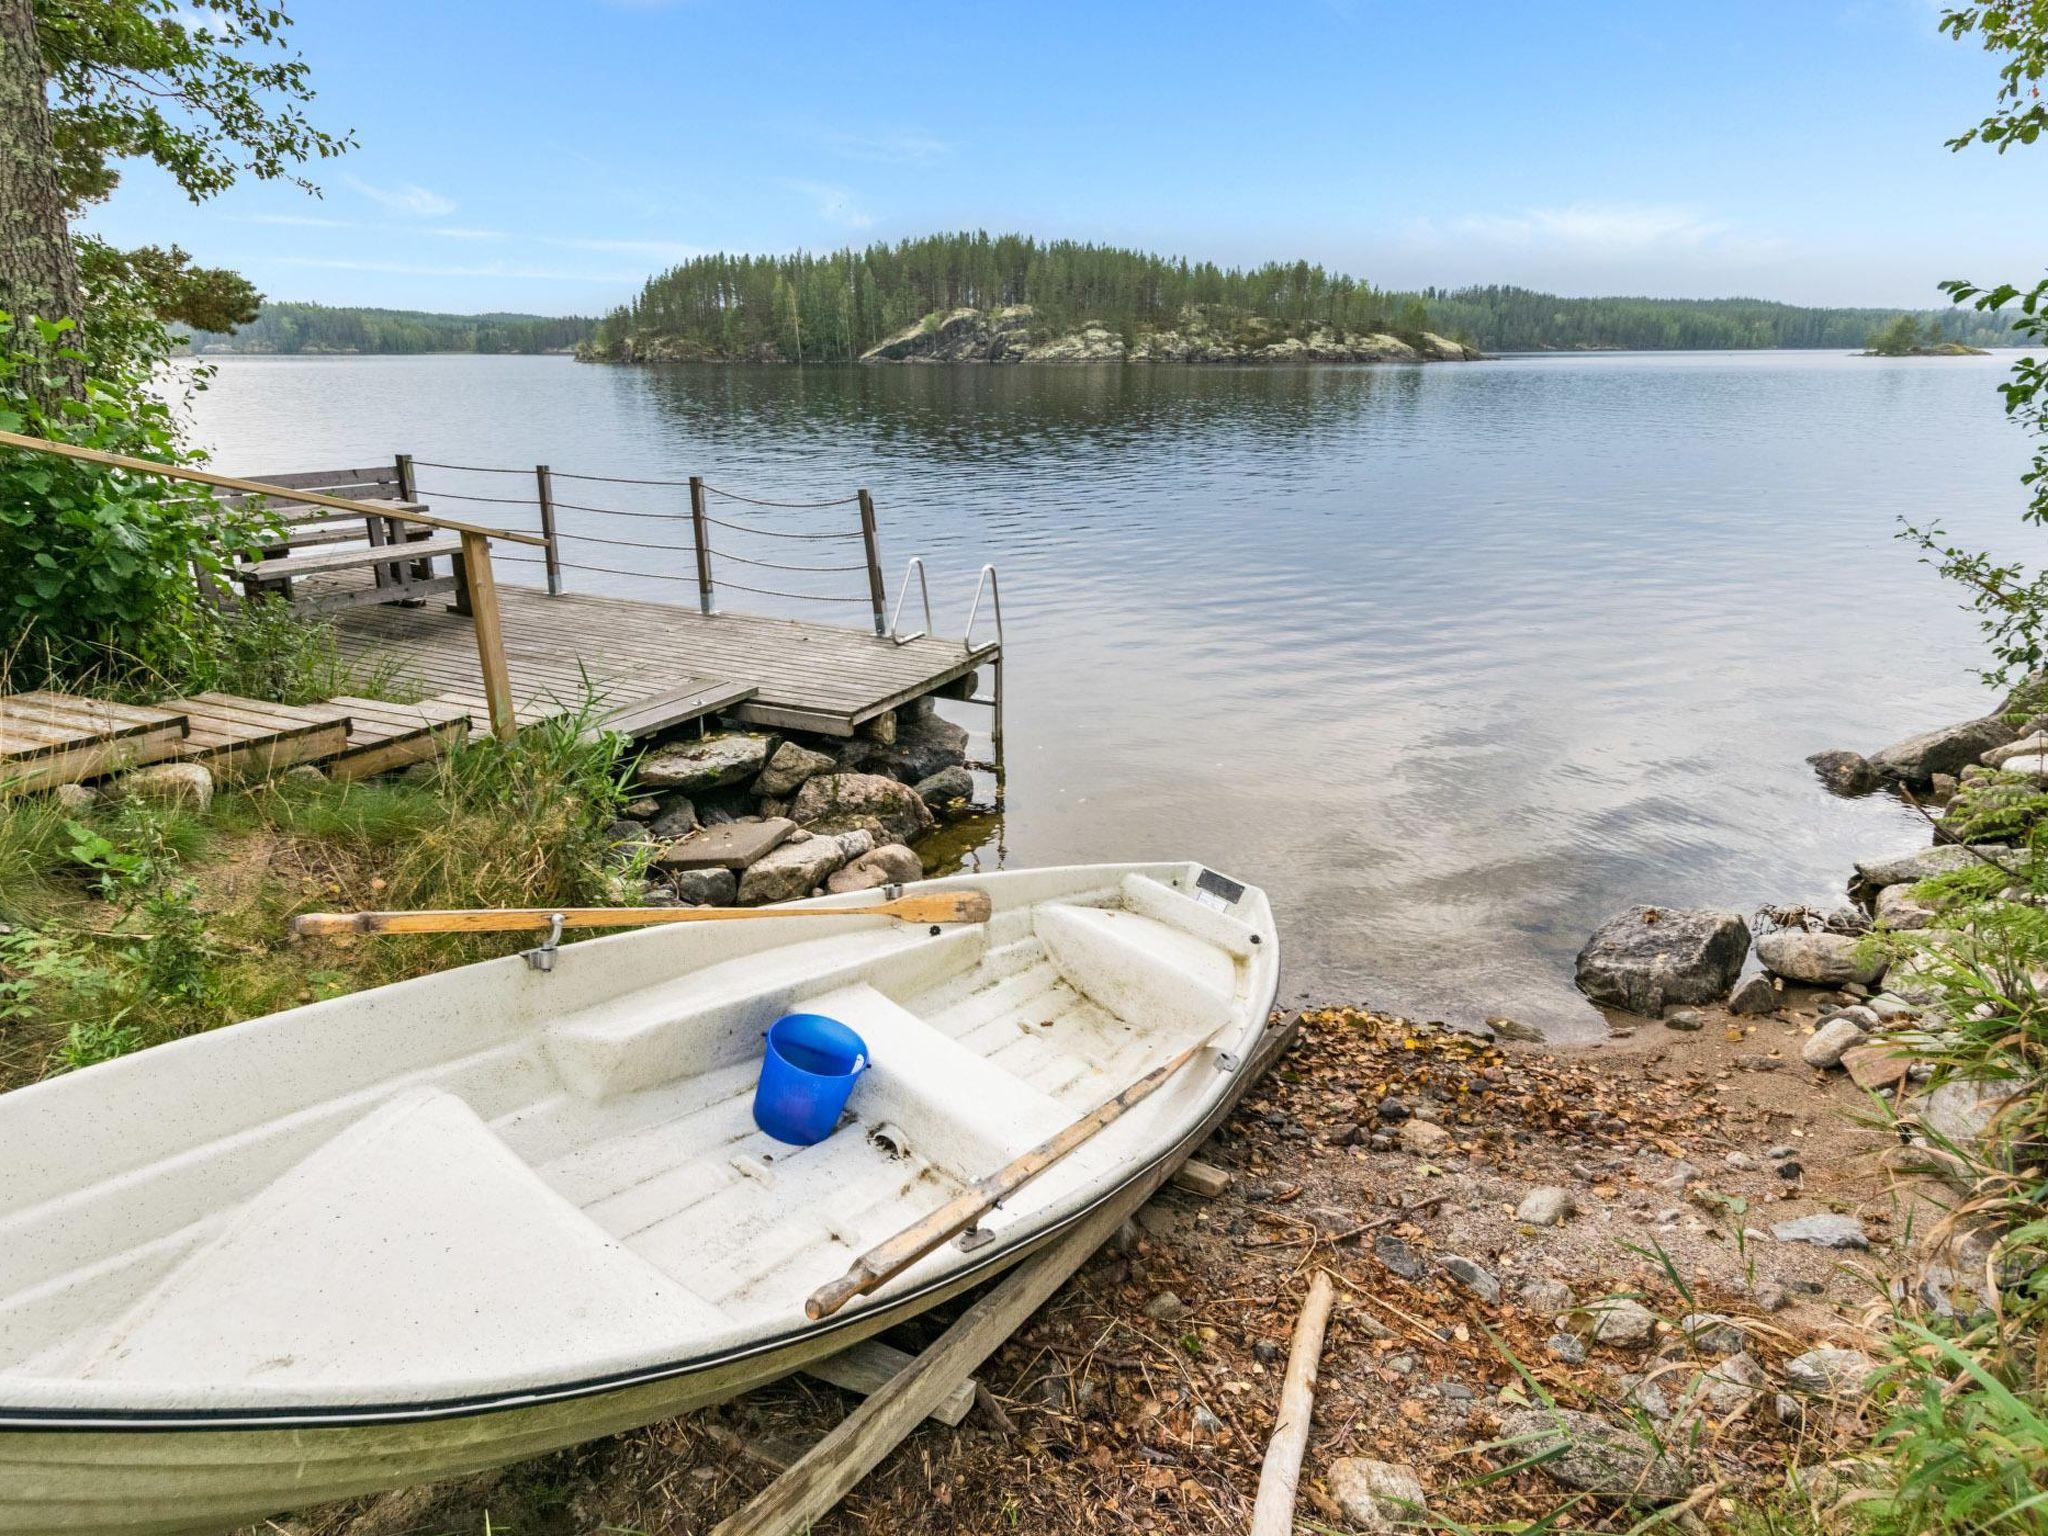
{"x":103,"y":564}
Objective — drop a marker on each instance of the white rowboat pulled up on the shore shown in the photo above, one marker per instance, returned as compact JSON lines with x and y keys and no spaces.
{"x":474,"y":1218}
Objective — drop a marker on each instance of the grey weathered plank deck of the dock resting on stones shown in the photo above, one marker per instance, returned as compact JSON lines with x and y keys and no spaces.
{"x":656,"y":665}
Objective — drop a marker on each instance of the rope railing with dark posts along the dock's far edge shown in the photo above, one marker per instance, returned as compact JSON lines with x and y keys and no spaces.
{"x":701,"y":521}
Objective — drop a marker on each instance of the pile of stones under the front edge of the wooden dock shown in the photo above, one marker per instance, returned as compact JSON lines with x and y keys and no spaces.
{"x":746,"y":818}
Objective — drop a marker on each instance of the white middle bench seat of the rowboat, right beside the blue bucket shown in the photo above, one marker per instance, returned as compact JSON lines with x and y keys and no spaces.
{"x":957,"y":1109}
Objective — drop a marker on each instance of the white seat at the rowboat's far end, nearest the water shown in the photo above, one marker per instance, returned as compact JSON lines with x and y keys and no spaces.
{"x":1140,"y":968}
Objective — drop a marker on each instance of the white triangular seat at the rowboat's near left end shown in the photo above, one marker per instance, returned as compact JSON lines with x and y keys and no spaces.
{"x":413,"y":1248}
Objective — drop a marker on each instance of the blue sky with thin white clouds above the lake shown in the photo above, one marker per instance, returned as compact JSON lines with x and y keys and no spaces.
{"x":548,"y":157}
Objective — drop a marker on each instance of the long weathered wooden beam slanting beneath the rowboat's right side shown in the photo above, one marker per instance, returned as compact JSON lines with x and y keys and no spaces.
{"x":802,"y":1496}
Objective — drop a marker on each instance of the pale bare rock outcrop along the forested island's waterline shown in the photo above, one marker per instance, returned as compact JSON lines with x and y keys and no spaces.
{"x":1019,"y":335}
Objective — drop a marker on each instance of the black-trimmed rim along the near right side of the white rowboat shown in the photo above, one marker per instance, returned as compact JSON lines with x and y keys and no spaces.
{"x":364,"y":1416}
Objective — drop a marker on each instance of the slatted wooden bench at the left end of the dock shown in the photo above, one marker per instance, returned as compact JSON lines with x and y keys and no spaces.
{"x":349,"y":544}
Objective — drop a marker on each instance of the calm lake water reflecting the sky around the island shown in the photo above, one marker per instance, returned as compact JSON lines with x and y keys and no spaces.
{"x":1453,"y":660}
